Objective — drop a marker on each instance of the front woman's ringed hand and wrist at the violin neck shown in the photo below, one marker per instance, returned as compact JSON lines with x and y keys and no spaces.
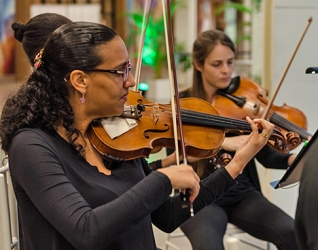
{"x":250,"y":146}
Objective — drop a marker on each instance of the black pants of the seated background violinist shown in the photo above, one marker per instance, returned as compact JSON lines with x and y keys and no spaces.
{"x":254,"y":214}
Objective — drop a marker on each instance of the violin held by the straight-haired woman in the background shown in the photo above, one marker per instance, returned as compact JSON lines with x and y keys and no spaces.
{"x":244,"y":97}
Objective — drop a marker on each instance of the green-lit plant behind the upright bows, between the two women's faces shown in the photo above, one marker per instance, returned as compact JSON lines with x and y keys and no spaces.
{"x":154,"y":49}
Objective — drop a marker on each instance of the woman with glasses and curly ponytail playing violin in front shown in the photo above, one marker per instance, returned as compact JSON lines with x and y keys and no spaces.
{"x":69,"y":197}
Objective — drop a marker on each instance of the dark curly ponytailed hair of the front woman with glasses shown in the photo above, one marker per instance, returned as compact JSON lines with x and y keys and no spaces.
{"x":43,"y":100}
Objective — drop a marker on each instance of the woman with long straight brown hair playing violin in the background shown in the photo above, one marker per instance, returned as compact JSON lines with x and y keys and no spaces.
{"x":244,"y":205}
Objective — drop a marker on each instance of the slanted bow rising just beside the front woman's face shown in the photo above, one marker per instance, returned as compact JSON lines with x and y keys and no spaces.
{"x":142,"y":42}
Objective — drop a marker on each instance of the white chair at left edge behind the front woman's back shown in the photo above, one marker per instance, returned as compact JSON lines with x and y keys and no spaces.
{"x":8,"y":212}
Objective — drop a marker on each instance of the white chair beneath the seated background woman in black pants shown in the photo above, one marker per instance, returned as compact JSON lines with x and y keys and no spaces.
{"x":231,"y":230}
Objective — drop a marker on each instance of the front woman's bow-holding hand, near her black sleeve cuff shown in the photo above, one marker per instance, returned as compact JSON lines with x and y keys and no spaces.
{"x":183,"y":177}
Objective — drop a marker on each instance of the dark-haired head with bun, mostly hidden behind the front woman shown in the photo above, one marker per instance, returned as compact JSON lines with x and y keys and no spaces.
{"x":36,"y":31}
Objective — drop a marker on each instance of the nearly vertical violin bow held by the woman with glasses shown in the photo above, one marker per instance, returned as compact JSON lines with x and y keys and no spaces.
{"x":174,"y":92}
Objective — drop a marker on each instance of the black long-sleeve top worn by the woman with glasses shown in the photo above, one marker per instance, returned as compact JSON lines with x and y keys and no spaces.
{"x":65,"y":203}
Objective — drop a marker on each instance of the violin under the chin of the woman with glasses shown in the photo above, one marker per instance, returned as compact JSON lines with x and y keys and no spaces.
{"x":203,"y":128}
